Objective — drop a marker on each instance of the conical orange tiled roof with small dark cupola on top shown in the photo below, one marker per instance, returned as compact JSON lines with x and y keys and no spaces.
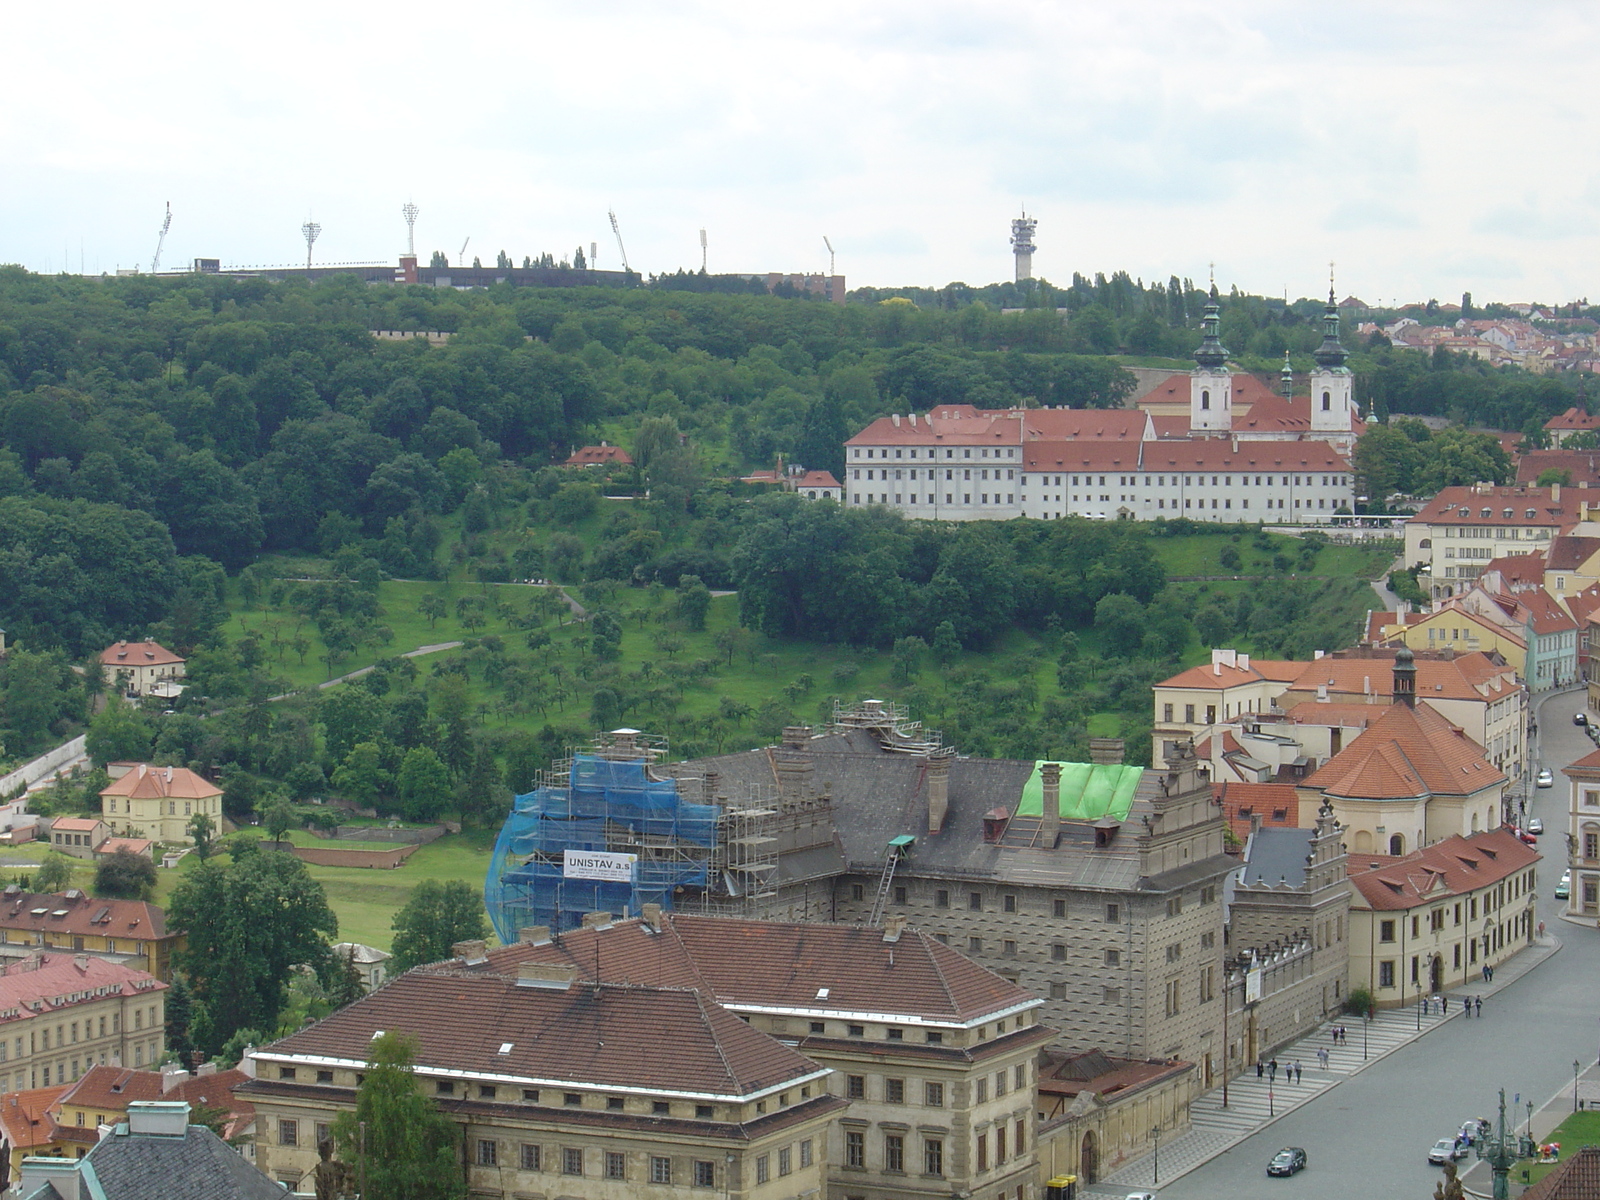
{"x":1409,"y":753}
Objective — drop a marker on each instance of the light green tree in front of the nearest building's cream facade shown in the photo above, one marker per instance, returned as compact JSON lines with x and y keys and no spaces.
{"x":402,"y":1146}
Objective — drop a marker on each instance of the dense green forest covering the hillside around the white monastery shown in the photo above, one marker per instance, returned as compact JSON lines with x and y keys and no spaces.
{"x":174,"y":450}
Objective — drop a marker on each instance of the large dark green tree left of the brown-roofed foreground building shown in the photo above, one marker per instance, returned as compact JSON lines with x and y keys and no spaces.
{"x":247,"y":926}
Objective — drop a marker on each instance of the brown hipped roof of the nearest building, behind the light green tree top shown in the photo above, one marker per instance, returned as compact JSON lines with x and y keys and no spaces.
{"x":622,"y":1036}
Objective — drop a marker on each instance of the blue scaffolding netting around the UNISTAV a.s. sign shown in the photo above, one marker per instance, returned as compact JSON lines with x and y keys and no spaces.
{"x":607,"y":806}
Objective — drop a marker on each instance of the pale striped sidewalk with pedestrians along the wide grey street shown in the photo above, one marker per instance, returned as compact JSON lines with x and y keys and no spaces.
{"x":1250,"y":1106}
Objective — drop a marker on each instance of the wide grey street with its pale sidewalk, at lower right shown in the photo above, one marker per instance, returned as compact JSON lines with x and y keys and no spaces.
{"x":1369,"y":1134}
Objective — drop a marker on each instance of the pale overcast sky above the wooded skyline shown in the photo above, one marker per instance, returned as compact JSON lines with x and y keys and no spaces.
{"x":1426,"y":148}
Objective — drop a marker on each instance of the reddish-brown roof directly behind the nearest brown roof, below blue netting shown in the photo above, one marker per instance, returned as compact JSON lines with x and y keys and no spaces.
{"x":785,"y":966}
